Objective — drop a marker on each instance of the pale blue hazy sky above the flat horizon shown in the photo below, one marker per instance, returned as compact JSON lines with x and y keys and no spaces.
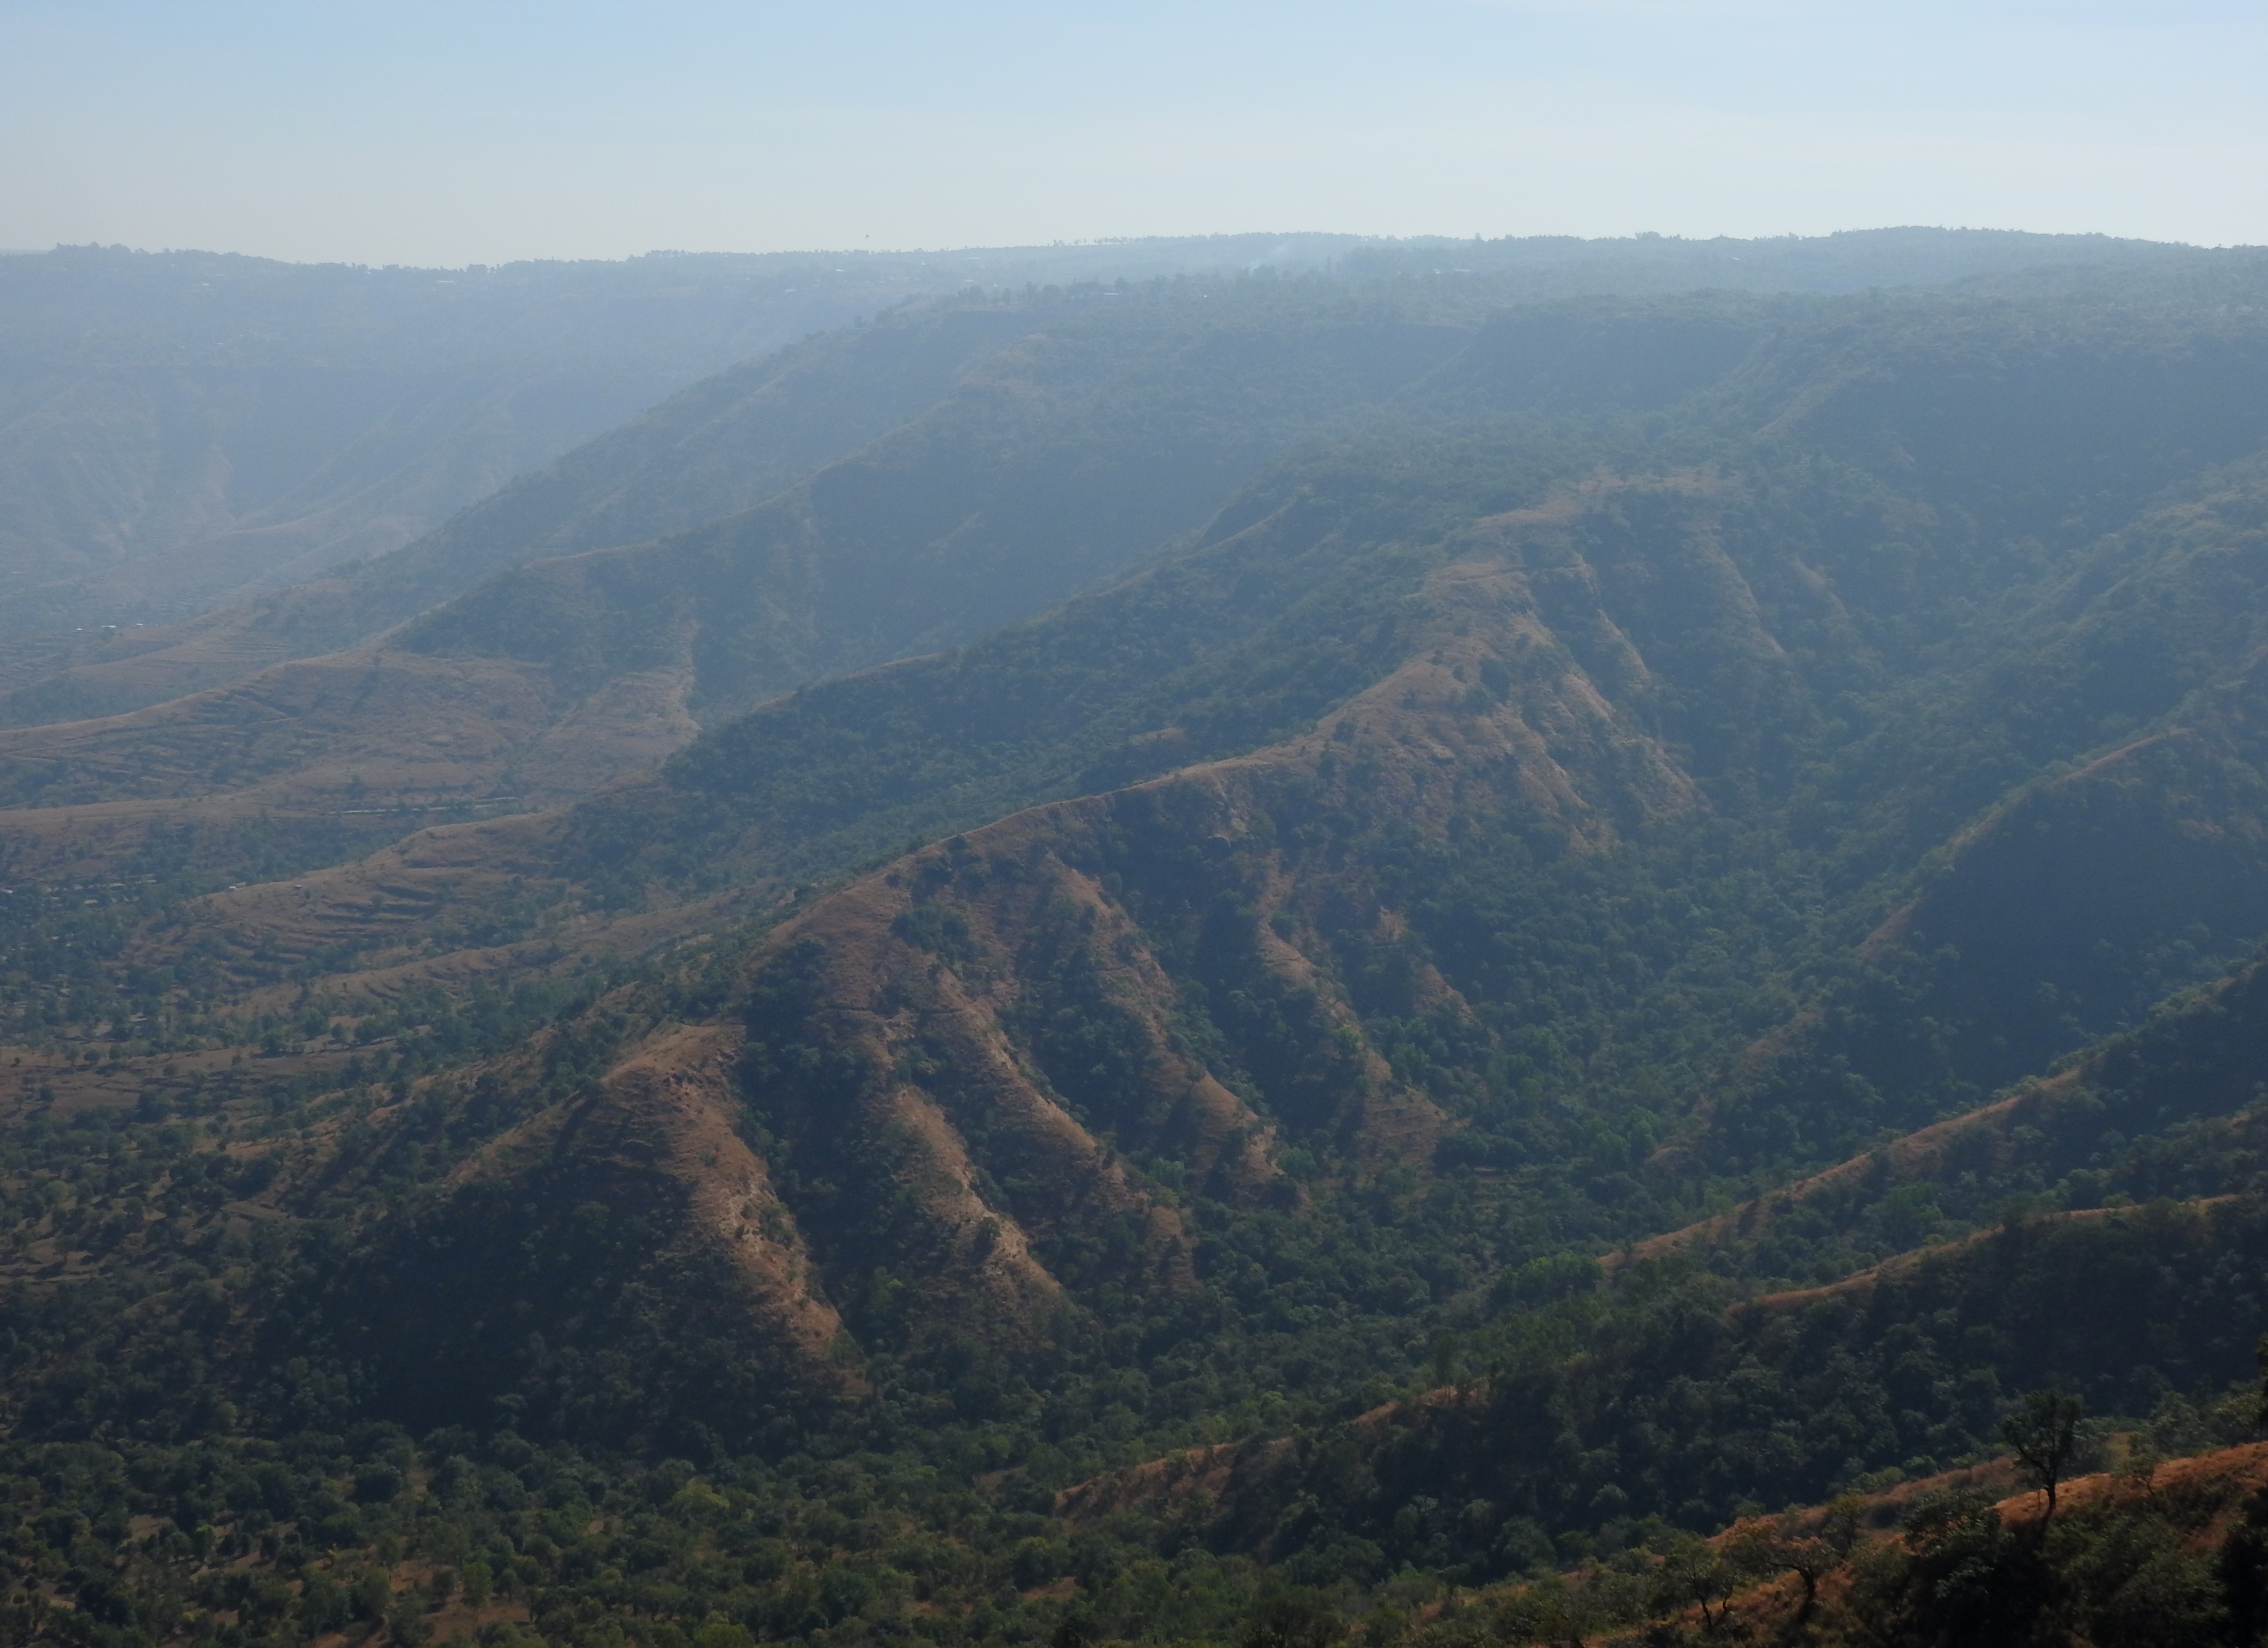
{"x":489,"y":130}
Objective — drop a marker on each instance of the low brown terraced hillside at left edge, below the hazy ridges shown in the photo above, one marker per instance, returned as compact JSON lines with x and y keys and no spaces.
{"x":366,"y":742}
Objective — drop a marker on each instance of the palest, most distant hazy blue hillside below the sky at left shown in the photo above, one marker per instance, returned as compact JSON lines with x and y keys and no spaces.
{"x":185,"y":432}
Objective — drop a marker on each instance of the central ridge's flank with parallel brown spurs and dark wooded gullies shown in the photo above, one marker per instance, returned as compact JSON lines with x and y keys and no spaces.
{"x":1017,"y":1080}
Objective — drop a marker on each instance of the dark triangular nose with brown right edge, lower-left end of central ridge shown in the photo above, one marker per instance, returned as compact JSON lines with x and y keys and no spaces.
{"x":620,"y":1264}
